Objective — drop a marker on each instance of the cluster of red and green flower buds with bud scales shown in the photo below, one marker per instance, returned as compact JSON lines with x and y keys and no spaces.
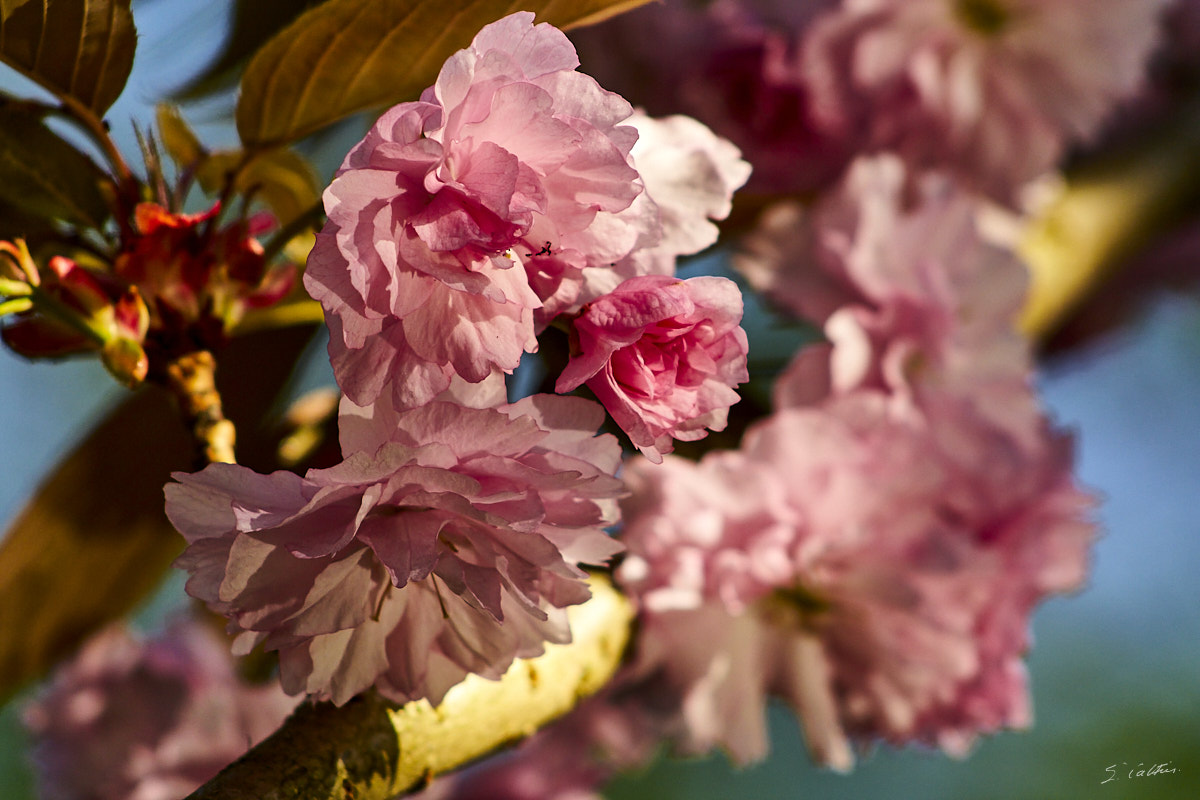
{"x":178,"y":284}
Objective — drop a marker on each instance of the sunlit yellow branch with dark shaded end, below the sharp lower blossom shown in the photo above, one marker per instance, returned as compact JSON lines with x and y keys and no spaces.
{"x":370,"y":749}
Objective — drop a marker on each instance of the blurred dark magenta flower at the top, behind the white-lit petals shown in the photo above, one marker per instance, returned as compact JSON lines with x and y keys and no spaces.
{"x":734,"y":65}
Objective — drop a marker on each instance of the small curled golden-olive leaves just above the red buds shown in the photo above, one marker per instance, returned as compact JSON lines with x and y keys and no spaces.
{"x":281,"y":179}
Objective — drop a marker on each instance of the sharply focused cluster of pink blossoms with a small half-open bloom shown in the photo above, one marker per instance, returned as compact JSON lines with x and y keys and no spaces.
{"x":449,"y":540}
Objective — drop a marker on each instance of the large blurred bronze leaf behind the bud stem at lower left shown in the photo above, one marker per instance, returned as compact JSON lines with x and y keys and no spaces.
{"x":94,"y":540}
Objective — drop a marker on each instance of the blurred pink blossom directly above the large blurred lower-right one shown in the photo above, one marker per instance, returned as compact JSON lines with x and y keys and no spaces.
{"x":915,"y":300}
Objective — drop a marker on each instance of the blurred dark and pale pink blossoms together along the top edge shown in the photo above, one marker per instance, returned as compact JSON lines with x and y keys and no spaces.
{"x":992,"y":91}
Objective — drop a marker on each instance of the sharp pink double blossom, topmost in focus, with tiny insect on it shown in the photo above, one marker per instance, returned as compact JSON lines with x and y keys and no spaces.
{"x":459,"y":216}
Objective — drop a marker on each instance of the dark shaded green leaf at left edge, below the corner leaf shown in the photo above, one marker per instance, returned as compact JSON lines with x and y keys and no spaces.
{"x":46,"y":177}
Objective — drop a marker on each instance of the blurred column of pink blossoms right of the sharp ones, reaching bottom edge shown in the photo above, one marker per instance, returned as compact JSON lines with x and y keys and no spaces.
{"x":873,"y":552}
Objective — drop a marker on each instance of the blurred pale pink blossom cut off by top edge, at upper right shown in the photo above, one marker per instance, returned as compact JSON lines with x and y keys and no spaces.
{"x":992,"y":89}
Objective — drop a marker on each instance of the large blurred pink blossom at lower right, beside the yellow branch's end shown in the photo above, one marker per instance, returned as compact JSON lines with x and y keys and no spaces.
{"x":875,"y":574}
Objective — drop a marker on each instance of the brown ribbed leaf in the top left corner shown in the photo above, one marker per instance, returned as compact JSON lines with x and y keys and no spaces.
{"x":82,"y":50}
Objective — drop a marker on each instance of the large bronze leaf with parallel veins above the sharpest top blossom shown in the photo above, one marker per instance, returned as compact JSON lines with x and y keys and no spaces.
{"x":350,"y":56}
